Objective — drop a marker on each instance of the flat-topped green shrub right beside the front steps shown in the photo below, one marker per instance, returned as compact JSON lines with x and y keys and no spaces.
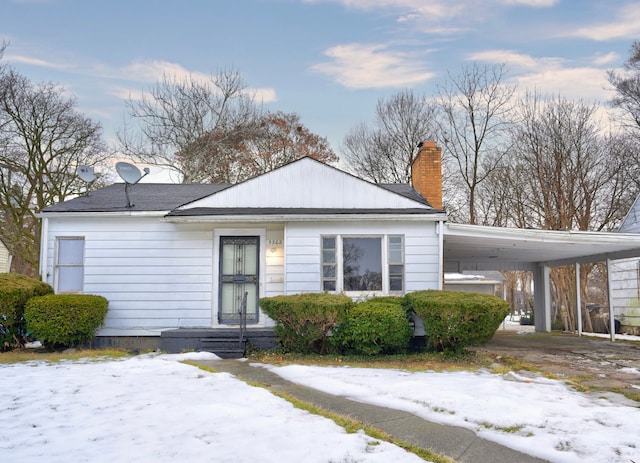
{"x":304,"y":321}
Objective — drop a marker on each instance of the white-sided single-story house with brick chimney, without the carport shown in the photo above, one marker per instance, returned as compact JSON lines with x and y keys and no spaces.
{"x":183,"y":256}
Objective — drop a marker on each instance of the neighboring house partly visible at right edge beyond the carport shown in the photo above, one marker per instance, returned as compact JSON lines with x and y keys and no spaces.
{"x":625,"y":279}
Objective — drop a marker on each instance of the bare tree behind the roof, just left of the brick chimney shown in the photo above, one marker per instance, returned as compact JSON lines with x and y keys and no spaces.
{"x":384,"y":153}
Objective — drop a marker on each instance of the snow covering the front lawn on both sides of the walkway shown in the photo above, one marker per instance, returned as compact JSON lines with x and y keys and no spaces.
{"x":154,"y":408}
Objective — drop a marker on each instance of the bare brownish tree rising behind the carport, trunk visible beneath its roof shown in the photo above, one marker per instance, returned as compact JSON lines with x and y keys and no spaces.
{"x":569,"y":174}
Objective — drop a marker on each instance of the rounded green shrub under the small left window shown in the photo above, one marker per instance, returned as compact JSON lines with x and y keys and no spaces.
{"x":65,"y":319}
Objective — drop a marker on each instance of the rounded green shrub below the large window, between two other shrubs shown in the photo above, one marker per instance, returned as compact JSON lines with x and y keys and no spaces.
{"x":373,"y":328}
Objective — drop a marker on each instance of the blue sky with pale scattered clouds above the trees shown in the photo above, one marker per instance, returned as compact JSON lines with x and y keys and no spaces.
{"x":327,"y":60}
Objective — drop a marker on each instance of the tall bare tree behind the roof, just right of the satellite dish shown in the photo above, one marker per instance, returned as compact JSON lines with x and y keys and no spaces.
{"x":193,"y":127}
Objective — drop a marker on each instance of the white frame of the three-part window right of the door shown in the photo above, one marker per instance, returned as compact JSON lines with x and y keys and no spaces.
{"x":385,"y":263}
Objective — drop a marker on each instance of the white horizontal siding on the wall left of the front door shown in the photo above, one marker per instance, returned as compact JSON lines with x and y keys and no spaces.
{"x":155,"y":275}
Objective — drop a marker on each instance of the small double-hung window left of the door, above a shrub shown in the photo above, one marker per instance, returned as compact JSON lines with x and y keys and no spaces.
{"x":69,"y":265}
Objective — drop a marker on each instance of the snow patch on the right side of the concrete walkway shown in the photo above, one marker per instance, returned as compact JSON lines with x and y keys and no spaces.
{"x":529,"y":413}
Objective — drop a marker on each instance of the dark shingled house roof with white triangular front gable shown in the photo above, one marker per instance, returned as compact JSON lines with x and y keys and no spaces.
{"x":305,"y":186}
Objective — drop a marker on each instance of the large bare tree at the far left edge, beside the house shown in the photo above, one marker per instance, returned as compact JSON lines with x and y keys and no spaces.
{"x":43,"y":139}
